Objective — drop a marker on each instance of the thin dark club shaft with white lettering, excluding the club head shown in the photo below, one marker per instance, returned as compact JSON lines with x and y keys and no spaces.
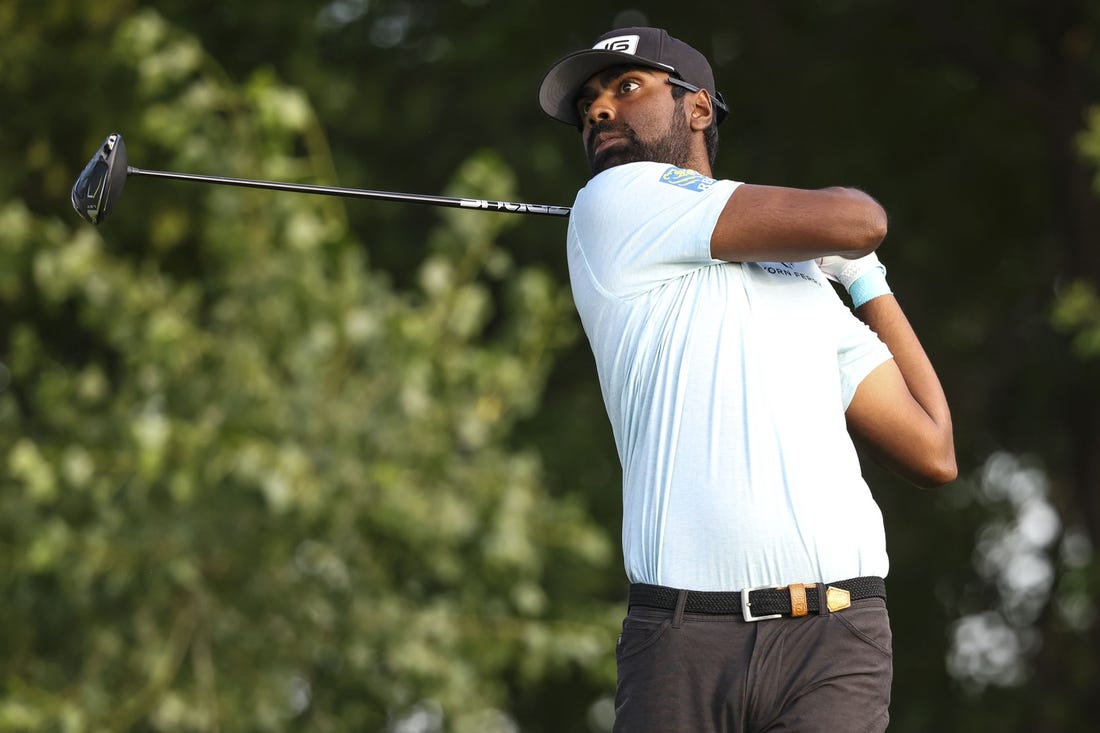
{"x":507,"y":207}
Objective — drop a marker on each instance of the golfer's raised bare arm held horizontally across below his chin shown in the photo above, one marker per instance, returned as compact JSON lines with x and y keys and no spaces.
{"x":773,"y":224}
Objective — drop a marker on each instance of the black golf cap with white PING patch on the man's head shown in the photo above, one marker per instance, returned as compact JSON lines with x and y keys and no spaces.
{"x":633,"y":47}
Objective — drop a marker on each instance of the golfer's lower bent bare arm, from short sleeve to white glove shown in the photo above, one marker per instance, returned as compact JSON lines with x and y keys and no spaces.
{"x":900,"y":412}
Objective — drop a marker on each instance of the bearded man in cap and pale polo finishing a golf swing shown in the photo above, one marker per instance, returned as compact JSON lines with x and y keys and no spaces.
{"x":736,"y":381}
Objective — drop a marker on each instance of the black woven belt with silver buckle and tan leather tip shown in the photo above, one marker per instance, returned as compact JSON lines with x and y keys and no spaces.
{"x":760,"y":603}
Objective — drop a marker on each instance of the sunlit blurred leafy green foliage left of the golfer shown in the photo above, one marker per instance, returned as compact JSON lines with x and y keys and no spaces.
{"x":248,"y":484}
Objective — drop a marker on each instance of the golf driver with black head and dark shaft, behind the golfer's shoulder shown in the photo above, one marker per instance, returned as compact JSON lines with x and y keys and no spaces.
{"x":100,"y":187}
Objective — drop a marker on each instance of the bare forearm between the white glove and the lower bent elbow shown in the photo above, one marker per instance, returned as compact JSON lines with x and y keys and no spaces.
{"x":887,"y":320}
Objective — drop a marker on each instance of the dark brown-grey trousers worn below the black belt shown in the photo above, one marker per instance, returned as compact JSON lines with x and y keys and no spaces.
{"x":713,"y":674}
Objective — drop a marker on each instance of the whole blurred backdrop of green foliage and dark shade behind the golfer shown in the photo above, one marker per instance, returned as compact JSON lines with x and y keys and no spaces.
{"x":281,"y":463}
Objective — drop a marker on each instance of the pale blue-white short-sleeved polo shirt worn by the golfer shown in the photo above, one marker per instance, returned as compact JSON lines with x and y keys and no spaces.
{"x":727,"y":387}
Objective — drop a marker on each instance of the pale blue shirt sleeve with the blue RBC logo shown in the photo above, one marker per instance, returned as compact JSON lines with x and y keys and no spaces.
{"x":637,"y":226}
